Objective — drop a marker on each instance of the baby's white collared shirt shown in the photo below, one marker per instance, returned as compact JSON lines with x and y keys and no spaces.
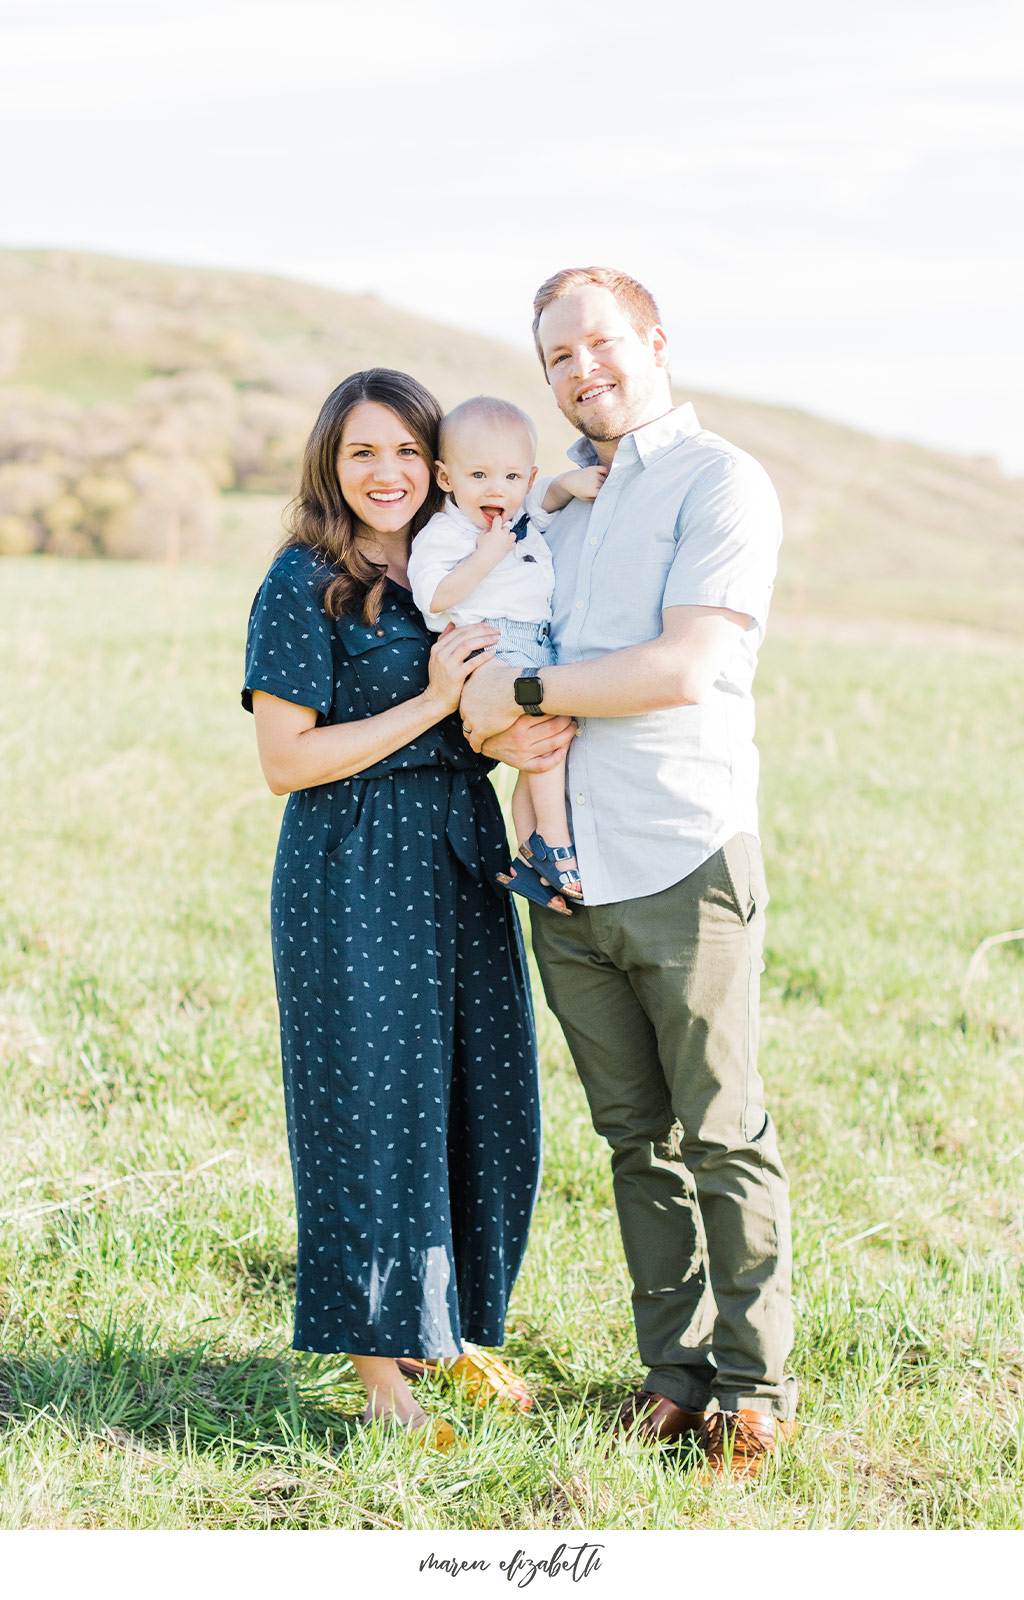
{"x":518,"y":590}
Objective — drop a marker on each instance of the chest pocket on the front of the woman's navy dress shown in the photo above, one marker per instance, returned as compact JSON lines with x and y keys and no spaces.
{"x":380,"y":666}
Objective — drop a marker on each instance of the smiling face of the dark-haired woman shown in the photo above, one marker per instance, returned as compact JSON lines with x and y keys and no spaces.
{"x":383,"y":473}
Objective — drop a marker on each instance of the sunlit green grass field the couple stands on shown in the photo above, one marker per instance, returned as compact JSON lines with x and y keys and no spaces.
{"x":148,"y":1234}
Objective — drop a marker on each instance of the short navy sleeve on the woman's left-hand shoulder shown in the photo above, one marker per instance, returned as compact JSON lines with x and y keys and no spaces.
{"x":289,"y":646}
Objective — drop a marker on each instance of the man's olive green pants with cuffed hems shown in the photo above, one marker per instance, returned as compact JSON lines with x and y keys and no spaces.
{"x":658,"y":999}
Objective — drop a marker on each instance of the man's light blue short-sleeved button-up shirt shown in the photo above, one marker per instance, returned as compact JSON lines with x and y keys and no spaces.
{"x":682,"y":519}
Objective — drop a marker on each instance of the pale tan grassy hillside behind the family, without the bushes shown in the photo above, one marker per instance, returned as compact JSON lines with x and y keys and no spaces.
{"x":874,"y":527}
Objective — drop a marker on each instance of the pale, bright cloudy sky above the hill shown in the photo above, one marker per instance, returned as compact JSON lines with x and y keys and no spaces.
{"x":826,"y":199}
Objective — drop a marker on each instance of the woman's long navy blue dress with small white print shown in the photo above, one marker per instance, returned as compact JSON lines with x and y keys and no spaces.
{"x":407,"y":1026}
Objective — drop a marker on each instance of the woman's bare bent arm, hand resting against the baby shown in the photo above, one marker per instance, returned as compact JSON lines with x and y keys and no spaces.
{"x":295,"y":754}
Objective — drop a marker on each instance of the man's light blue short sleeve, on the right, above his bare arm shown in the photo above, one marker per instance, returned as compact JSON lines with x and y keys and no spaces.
{"x":730,"y":529}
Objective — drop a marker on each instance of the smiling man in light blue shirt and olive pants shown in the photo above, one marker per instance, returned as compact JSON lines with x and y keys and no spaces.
{"x":662,"y":596}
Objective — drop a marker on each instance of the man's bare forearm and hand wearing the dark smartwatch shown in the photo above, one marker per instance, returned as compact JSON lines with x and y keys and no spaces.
{"x":674,"y":670}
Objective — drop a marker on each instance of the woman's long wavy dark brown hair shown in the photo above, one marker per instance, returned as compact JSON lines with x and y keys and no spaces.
{"x":319,"y":516}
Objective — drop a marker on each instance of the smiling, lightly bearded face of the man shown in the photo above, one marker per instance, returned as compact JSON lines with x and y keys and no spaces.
{"x":606,"y":378}
